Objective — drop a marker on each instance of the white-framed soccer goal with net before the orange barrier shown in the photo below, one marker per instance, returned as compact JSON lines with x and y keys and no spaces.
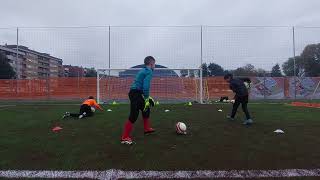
{"x":168,"y":85}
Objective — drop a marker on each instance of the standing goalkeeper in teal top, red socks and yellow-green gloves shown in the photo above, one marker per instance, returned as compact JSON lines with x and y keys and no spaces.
{"x":140,"y":100}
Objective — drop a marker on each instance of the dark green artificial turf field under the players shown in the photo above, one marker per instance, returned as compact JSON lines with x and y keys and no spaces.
{"x":212,"y":142}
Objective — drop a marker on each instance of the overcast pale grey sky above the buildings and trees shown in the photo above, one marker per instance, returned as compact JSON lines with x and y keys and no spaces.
{"x":174,"y":47}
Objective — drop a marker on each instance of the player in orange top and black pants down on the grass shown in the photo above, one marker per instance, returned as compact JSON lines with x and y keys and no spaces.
{"x":86,"y":109}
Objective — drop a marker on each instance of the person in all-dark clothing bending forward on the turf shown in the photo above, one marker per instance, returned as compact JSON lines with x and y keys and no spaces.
{"x":240,"y":88}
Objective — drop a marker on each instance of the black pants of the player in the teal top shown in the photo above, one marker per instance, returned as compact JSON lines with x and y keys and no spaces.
{"x":136,"y":105}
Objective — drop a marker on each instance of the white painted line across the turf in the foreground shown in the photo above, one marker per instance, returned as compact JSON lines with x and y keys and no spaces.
{"x":115,"y":174}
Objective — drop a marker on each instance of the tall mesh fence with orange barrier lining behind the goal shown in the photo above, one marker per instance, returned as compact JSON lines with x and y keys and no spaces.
{"x":62,"y":62}
